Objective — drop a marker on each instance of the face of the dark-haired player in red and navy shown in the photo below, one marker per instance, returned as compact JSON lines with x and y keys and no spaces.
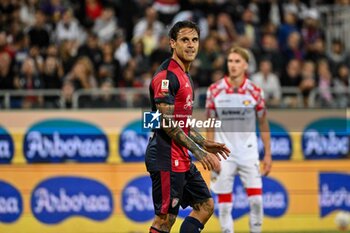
{"x":186,"y":45}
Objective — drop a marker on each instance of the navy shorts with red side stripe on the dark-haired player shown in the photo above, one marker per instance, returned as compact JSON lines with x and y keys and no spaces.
{"x":172,"y":189}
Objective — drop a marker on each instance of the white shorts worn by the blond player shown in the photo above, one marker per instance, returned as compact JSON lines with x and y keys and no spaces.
{"x":249,"y":172}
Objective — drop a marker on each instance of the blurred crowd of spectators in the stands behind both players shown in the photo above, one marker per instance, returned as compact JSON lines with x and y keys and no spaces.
{"x":105,"y":44}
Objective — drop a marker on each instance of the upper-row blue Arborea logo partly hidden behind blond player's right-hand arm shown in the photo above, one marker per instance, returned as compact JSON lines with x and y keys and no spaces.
{"x":281,"y":143}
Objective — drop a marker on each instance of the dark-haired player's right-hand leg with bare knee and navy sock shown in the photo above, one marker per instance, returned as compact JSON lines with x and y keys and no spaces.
{"x":196,"y":194}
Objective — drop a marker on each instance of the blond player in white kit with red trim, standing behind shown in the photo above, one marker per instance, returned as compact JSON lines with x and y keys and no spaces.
{"x":238,"y":103}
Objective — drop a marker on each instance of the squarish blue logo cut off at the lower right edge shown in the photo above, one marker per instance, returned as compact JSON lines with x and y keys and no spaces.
{"x":334,"y":192}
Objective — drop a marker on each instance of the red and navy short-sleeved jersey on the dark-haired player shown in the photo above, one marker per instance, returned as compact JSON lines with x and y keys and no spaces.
{"x":173,"y":86}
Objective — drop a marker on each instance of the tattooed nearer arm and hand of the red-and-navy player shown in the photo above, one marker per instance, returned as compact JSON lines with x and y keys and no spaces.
{"x":207,"y":159}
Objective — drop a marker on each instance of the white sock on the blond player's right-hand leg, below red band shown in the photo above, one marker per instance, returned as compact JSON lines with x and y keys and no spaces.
{"x":256,"y":213}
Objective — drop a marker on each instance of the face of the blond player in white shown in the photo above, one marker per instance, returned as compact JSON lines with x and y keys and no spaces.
{"x":236,"y":65}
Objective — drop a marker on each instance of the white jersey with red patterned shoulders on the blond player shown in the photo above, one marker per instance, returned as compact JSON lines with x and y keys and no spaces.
{"x":238,"y":109}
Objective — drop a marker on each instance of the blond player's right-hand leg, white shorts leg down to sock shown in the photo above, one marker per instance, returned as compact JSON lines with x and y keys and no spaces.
{"x":249,"y":172}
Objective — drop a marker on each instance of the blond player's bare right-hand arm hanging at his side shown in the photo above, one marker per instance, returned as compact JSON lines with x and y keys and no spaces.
{"x":265,"y":137}
